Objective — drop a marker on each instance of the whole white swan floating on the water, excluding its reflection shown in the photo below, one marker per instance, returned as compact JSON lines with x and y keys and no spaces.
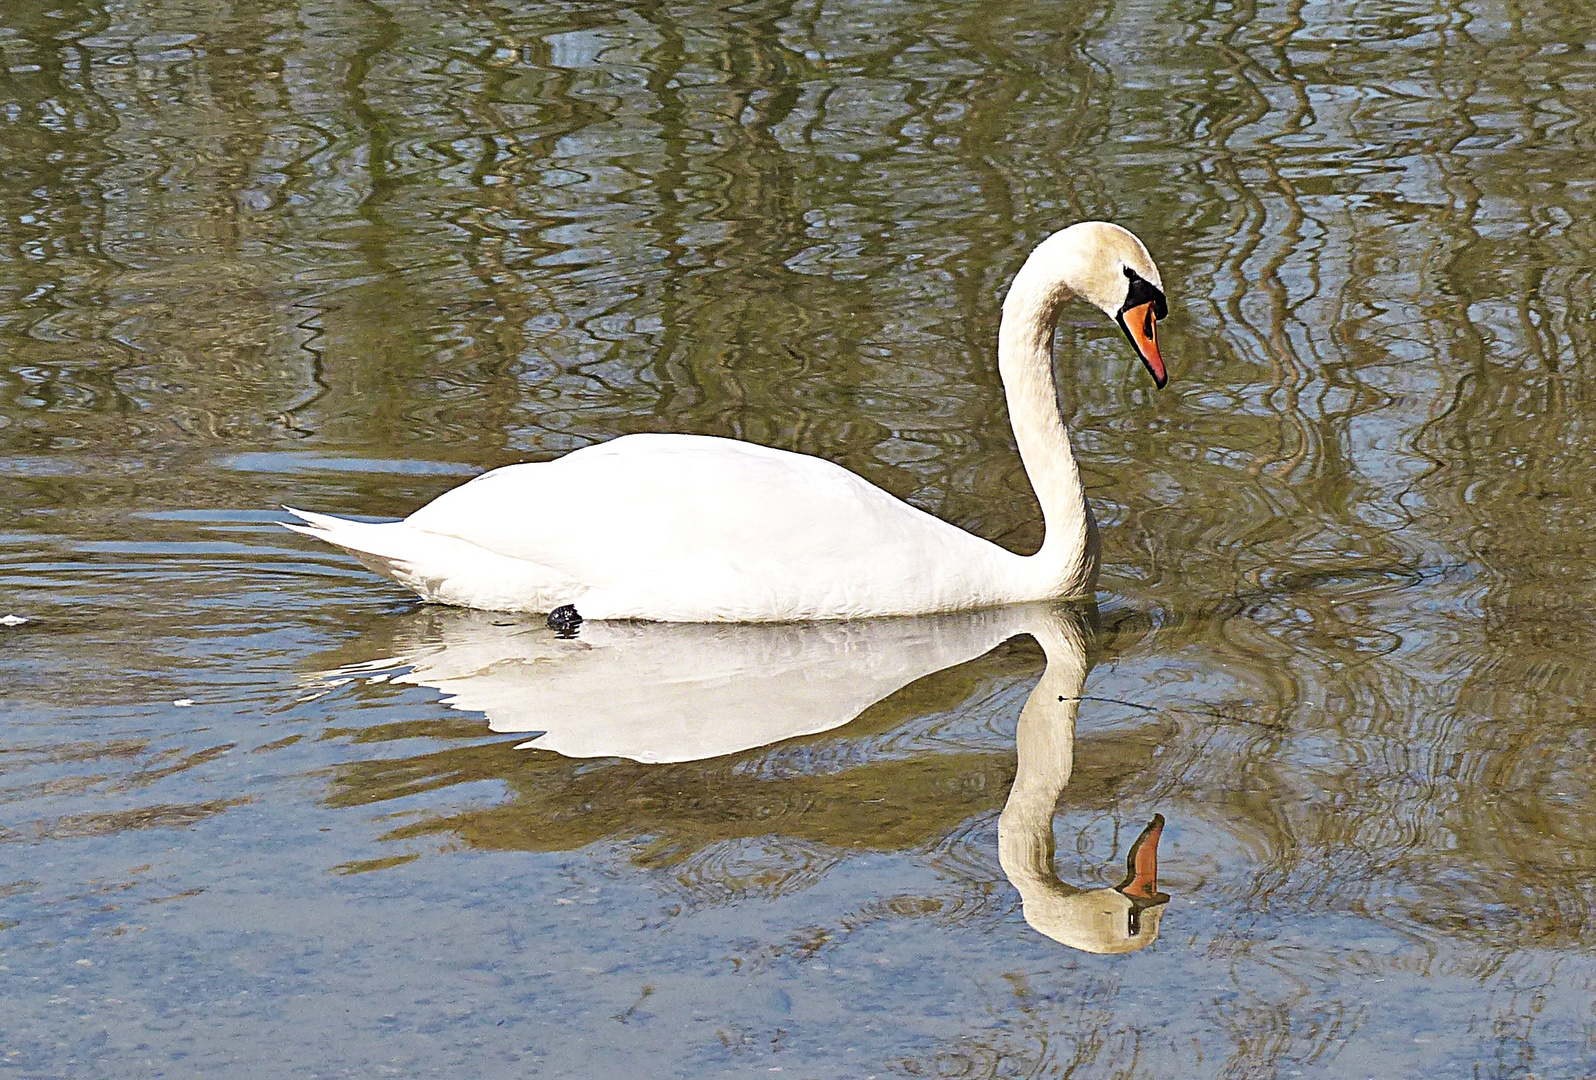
{"x":693,"y":529}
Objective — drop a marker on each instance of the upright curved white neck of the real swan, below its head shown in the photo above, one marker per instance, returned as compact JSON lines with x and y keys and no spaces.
{"x":1067,"y":564}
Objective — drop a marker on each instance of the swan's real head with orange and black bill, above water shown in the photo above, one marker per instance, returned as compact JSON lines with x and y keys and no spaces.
{"x":1112,"y":270}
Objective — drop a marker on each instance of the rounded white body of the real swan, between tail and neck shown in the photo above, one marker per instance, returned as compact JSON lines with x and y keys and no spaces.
{"x":703,"y":529}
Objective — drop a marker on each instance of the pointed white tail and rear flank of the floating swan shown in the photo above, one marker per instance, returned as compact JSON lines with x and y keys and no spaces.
{"x":441,"y":569}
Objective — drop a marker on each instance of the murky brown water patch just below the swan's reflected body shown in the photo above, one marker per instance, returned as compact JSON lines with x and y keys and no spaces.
{"x":564,"y":805}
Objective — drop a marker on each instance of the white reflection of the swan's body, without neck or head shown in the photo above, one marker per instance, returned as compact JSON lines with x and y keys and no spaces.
{"x":685,"y":693}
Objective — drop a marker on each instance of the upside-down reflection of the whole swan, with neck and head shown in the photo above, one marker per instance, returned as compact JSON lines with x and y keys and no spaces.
{"x":674,"y":693}
